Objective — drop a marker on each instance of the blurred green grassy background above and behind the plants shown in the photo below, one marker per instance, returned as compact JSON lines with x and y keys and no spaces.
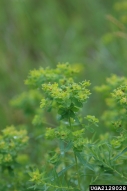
{"x":38,"y":33}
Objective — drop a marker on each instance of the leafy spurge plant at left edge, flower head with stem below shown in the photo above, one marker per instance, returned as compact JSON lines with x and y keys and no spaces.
{"x":12,"y":141}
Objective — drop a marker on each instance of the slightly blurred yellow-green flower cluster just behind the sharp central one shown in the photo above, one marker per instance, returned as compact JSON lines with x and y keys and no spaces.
{"x":63,"y":71}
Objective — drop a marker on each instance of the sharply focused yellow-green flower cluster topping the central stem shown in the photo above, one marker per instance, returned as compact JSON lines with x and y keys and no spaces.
{"x":67,"y":98}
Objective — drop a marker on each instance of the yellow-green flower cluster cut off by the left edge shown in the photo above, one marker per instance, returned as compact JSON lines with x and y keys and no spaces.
{"x":11,"y":141}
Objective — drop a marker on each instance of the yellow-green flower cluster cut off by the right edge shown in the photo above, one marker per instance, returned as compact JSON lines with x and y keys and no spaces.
{"x":116,"y":102}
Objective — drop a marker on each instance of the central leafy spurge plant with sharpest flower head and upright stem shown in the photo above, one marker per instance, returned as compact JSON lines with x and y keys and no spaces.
{"x":62,"y":93}
